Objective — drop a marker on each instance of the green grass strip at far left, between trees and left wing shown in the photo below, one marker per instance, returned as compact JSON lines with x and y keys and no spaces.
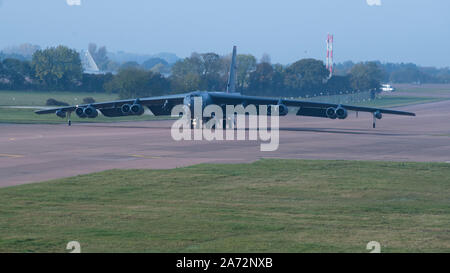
{"x":38,"y":98}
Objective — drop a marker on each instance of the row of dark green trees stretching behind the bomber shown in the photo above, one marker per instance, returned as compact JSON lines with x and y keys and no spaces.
{"x":60,"y":68}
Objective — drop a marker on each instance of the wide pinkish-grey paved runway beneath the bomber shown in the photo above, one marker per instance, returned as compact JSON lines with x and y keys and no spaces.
{"x":33,"y":153}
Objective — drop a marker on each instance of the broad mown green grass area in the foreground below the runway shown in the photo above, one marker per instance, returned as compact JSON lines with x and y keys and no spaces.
{"x":267,"y":206}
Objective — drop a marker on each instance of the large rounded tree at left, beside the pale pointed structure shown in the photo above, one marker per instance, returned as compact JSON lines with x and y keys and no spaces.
{"x":57,"y":67}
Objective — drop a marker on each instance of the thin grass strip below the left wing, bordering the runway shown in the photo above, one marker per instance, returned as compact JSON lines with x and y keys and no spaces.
{"x":27,"y":116}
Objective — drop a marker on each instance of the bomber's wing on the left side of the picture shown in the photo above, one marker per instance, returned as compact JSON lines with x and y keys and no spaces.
{"x":153,"y":103}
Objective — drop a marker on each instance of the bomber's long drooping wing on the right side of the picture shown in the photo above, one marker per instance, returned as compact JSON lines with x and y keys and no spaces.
{"x":235,"y":99}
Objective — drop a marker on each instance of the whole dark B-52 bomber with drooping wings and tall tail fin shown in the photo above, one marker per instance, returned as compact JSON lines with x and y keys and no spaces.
{"x":163,"y":105}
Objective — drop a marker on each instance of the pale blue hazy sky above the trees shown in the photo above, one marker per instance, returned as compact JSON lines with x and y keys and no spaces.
{"x":387,"y":30}
